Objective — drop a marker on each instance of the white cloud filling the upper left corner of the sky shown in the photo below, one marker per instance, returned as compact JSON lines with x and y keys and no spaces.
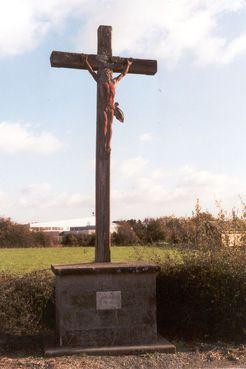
{"x":24,"y":23}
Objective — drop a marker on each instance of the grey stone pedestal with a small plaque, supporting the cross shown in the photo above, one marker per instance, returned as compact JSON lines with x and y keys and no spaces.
{"x":106,"y":305}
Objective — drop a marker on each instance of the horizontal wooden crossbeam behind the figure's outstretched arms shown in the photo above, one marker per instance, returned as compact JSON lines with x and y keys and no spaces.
{"x":117,"y":64}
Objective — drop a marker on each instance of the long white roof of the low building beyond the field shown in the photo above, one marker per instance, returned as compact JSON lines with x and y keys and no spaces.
{"x":66,"y":223}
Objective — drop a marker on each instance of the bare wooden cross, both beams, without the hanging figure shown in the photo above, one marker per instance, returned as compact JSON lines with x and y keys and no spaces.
{"x":102,"y":59}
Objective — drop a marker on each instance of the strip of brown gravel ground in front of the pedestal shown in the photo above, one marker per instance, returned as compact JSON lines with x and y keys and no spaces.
{"x":23,"y":354}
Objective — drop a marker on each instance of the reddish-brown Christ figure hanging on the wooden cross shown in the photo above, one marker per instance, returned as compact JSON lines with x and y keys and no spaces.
{"x":106,"y":89}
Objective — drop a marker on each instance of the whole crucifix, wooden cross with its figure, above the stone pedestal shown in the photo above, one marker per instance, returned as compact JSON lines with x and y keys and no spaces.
{"x":101,"y":66}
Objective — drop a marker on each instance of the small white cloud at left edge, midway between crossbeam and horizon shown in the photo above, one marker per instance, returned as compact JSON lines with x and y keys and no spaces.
{"x":16,"y":137}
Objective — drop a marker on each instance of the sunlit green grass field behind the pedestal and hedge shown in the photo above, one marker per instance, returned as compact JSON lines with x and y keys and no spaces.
{"x":20,"y":261}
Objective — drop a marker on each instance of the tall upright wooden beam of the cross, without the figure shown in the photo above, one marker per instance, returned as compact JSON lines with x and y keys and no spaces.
{"x":103,"y":240}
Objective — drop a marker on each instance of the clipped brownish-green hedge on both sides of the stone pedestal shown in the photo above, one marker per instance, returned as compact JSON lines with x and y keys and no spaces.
{"x":203,"y":298}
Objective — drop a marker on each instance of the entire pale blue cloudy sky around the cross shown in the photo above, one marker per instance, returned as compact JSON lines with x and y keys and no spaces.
{"x":184,"y":135}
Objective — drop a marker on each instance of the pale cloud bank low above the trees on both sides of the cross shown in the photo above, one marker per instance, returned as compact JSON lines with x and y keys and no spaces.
{"x":148,"y":191}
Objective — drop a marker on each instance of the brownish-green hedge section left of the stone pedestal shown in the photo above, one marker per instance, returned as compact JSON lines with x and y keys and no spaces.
{"x":27,"y":303}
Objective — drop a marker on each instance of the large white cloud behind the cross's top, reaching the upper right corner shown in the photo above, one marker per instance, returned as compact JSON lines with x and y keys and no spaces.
{"x":169,"y":29}
